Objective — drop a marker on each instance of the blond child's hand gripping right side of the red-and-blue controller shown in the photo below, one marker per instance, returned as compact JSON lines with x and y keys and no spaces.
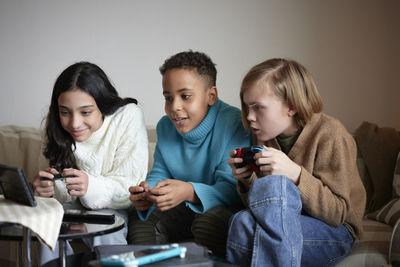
{"x":276,"y":162}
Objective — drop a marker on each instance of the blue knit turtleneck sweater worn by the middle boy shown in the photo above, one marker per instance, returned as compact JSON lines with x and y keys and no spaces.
{"x":200,"y":157}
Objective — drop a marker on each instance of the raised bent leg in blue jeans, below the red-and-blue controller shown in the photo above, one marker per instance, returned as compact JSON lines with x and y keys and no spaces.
{"x":275,"y":204}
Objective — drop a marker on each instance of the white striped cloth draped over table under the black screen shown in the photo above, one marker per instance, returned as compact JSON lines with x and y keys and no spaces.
{"x":44,"y":220}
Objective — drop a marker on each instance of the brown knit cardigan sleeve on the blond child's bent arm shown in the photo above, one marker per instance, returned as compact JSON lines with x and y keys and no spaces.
{"x":326,"y":191}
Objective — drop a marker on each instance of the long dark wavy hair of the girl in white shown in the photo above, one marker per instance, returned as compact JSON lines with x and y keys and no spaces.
{"x":91,"y":79}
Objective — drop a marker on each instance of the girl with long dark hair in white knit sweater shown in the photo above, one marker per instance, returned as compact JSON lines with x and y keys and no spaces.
{"x":98,"y":140}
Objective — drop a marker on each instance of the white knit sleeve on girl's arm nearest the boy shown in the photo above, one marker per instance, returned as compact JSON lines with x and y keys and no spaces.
{"x":129,"y":165}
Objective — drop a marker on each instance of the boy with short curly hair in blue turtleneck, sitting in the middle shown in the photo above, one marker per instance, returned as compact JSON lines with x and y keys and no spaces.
{"x":190,"y":191}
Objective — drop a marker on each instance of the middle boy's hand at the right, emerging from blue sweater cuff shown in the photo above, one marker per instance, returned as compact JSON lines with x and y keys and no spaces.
{"x":170,"y":193}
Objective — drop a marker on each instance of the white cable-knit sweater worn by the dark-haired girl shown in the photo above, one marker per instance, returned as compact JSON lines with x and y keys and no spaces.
{"x":114,"y":157}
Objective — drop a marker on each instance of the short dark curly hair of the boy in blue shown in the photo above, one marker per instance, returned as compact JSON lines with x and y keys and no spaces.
{"x":196,"y":61}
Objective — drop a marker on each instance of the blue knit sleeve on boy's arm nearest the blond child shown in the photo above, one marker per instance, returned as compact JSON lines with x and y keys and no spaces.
{"x":223,"y":191}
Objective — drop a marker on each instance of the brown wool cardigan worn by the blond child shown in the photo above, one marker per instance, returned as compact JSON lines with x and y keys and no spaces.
{"x":330,"y":186}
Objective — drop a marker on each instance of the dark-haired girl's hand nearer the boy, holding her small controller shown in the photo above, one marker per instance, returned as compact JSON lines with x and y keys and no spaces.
{"x":77,"y":184}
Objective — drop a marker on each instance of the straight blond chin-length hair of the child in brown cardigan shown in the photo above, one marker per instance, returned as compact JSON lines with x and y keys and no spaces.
{"x":288,"y":80}
